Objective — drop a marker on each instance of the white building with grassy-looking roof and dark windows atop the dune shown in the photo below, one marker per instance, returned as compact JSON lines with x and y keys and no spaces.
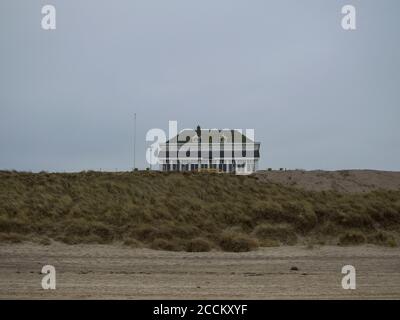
{"x":215,"y":150}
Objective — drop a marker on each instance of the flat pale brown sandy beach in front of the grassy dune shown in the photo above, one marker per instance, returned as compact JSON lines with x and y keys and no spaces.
{"x":117,"y":272}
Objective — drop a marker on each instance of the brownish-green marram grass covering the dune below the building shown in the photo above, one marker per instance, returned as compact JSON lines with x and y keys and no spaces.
{"x":188,"y":211}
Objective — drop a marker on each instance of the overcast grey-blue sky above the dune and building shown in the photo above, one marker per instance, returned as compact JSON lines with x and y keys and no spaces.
{"x":317,"y":96}
